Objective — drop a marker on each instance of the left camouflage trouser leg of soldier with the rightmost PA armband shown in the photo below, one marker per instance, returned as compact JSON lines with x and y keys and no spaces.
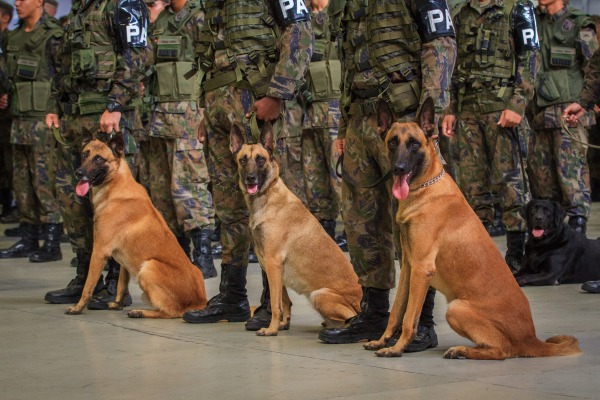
{"x":474,"y":165}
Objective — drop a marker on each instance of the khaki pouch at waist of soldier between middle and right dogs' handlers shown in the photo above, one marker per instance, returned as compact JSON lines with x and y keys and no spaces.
{"x":325,"y":79}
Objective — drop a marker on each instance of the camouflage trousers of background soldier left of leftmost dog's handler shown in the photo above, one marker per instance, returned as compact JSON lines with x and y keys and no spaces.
{"x":32,"y":178}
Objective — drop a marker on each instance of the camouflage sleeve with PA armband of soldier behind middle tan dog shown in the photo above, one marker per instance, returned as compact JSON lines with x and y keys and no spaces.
{"x":295,"y":49}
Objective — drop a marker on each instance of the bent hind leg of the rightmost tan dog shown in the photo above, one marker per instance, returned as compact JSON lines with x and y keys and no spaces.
{"x":469,"y":323}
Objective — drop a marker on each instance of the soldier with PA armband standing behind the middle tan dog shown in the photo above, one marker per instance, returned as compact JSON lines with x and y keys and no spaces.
{"x":253,"y":55}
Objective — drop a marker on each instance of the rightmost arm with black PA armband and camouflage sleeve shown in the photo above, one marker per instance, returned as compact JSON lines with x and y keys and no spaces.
{"x":526,"y":49}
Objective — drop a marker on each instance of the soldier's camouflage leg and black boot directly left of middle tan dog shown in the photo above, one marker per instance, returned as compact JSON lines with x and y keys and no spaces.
{"x":224,"y":107}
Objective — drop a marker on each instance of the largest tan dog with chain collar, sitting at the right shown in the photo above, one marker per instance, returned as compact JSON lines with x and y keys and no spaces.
{"x":445,"y":245}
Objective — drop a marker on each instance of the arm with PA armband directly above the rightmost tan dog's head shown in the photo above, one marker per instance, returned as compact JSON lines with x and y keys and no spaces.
{"x":438,"y":54}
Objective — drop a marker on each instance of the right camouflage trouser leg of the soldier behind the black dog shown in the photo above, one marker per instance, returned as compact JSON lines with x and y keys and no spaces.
{"x":573,"y":176}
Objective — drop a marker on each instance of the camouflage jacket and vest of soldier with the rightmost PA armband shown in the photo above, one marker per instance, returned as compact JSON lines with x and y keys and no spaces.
{"x":476,"y":79}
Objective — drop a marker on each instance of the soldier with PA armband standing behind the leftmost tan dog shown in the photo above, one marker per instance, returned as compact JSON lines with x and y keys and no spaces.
{"x":103,"y":60}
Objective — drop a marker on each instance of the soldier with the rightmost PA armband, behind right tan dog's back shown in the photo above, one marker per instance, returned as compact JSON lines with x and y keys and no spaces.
{"x":493,"y":81}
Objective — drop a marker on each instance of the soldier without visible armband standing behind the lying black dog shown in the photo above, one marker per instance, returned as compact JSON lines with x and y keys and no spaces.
{"x":557,"y":166}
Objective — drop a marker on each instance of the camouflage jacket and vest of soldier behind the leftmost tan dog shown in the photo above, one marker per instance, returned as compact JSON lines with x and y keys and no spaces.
{"x":116,"y":75}
